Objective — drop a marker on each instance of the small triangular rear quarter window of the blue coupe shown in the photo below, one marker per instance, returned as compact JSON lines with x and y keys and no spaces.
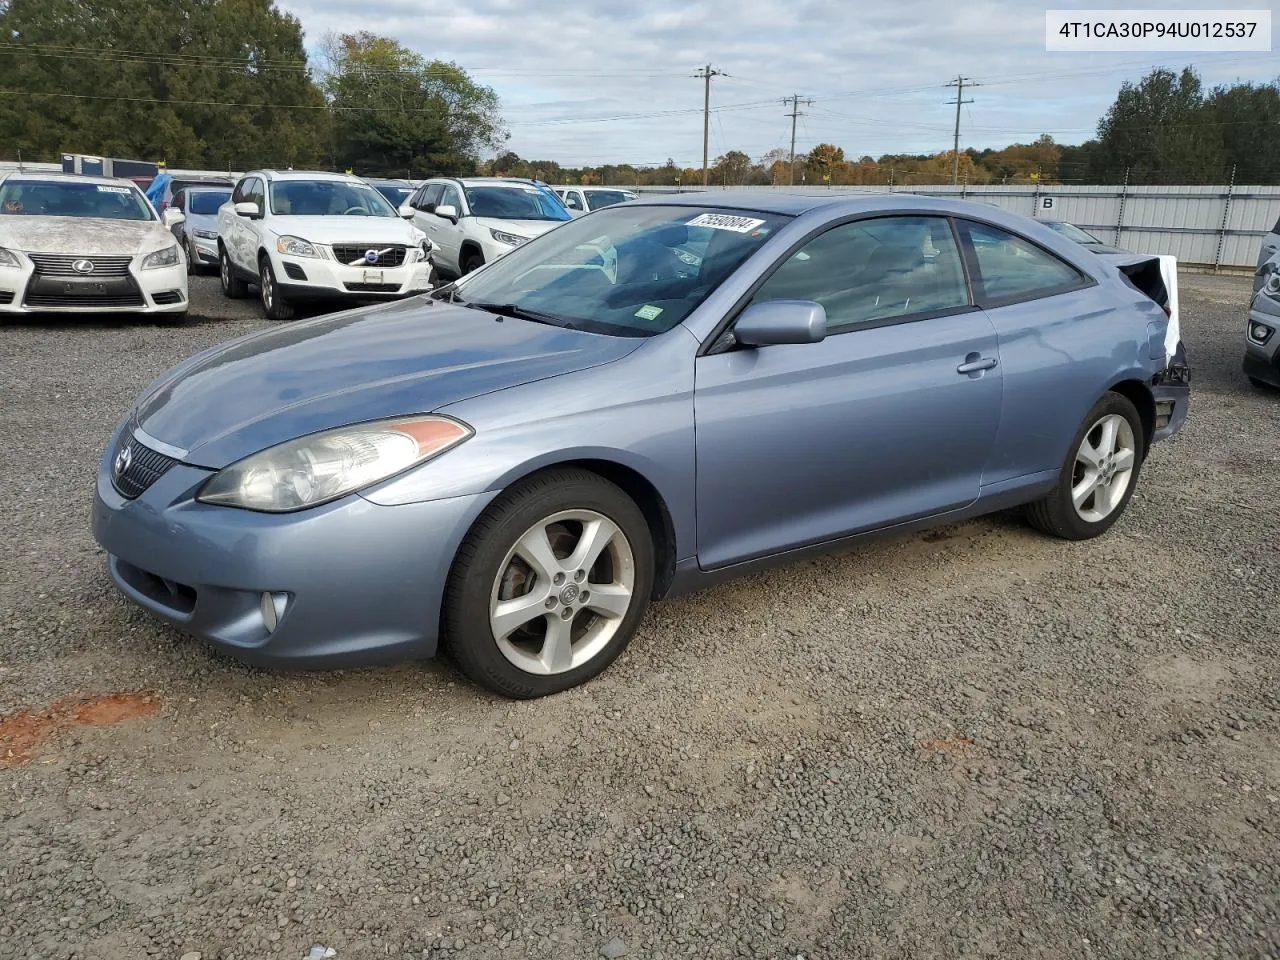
{"x":1011,"y":268}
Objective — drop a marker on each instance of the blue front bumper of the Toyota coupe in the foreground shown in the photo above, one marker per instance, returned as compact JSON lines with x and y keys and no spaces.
{"x":353,"y":583}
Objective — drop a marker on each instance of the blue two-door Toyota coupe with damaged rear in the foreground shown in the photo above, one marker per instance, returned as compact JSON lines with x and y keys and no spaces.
{"x":515,"y":465}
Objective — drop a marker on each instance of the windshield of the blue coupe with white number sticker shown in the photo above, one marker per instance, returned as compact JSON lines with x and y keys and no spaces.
{"x":629,"y":271}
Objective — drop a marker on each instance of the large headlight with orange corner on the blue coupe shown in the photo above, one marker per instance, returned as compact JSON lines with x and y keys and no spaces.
{"x":324,"y":467}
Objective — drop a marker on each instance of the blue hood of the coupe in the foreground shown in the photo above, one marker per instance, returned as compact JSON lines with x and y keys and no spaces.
{"x":382,"y":362}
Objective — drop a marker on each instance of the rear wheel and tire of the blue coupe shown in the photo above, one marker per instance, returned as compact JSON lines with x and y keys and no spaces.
{"x":1101,"y":504}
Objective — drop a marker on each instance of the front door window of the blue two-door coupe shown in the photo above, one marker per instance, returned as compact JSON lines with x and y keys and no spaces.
{"x":872,"y":271}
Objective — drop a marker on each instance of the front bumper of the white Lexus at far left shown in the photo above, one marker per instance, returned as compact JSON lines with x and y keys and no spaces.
{"x":157,"y":291}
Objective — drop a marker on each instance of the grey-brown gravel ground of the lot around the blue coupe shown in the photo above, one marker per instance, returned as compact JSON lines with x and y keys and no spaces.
{"x":972,"y":743}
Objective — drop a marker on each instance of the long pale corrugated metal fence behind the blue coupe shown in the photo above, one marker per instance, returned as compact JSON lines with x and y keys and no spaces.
{"x":1206,"y":227}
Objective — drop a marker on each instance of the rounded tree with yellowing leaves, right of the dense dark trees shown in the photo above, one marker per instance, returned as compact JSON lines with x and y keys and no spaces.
{"x":397,"y":113}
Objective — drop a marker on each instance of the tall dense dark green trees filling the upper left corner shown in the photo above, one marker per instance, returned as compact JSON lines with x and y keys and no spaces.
{"x":218,"y":84}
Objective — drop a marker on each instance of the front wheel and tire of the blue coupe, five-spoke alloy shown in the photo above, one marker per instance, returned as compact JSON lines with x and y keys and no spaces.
{"x":573,"y":509}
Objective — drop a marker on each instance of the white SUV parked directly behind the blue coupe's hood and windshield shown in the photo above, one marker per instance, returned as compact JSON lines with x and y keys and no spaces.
{"x":476,"y":221}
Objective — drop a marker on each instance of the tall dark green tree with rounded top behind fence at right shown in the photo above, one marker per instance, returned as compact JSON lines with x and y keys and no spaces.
{"x":1158,"y":131}
